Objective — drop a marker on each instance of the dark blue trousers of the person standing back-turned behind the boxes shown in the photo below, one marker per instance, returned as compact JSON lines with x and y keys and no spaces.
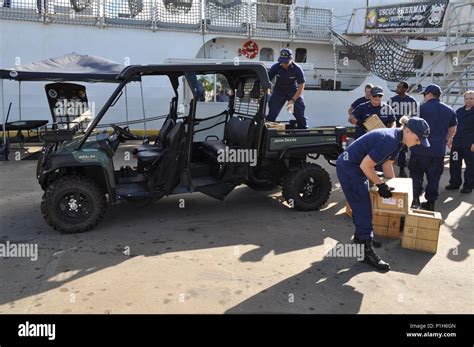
{"x":432,"y":167}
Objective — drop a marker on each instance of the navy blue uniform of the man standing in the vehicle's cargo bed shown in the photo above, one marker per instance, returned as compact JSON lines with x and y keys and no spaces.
{"x":286,"y":84}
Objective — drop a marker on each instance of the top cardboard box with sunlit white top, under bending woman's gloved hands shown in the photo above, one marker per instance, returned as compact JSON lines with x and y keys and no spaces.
{"x":400,"y":201}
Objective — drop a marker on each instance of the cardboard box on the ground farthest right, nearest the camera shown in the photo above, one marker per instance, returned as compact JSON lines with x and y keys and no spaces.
{"x":421,"y":230}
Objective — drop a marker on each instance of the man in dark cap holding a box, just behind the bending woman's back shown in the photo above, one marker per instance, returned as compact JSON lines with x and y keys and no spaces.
{"x":374,"y":106}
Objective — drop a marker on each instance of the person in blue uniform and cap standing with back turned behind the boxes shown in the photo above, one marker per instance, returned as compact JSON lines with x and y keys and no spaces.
{"x":430,"y":161}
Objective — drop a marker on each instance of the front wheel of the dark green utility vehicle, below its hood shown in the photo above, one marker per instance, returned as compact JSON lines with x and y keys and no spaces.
{"x":73,"y":204}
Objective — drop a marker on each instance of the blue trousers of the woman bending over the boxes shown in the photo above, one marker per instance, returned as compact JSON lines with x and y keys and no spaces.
{"x":356,"y":189}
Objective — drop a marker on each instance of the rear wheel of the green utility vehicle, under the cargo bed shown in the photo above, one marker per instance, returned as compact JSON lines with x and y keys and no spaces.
{"x":307,"y":188}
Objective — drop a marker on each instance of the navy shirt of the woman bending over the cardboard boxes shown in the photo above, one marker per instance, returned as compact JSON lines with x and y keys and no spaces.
{"x":380,"y":144}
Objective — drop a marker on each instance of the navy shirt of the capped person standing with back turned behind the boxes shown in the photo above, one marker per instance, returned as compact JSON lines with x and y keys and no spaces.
{"x":440,"y":117}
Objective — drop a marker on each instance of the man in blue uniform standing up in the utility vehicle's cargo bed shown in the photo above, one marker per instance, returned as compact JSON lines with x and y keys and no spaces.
{"x":288,"y":88}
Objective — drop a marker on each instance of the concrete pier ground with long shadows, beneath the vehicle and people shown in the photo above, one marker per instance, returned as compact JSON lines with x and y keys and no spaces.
{"x":248,"y":254}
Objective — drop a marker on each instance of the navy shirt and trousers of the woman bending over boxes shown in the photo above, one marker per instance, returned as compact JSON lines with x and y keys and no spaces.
{"x":381,"y":145}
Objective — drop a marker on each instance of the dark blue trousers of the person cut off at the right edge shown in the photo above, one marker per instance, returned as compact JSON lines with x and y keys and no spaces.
{"x":460,"y":152}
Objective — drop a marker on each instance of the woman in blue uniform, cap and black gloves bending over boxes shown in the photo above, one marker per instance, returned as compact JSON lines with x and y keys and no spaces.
{"x":357,"y":164}
